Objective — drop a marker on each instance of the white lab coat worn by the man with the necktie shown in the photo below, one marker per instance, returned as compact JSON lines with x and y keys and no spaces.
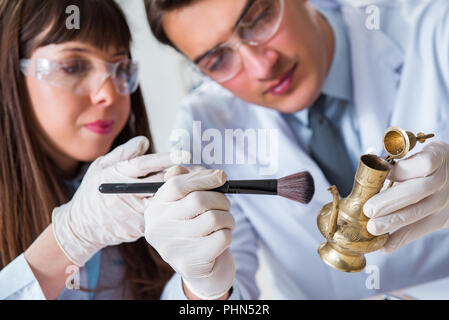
{"x":400,"y":77}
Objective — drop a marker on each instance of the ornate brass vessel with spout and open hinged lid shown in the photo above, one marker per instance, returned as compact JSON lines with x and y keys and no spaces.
{"x":343,"y":223}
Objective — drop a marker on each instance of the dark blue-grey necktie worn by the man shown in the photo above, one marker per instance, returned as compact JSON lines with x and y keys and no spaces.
{"x":328,"y":149}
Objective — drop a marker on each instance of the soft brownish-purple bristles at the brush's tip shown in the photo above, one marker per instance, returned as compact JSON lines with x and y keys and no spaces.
{"x":298,"y":187}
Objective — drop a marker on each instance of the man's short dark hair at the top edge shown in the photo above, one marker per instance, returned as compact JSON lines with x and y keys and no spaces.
{"x":155,"y":10}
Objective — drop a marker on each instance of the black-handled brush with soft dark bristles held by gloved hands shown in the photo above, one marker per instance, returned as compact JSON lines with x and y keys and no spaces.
{"x":298,"y":187}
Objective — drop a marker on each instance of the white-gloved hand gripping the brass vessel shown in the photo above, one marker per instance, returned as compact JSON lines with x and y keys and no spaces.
{"x":418,"y":203}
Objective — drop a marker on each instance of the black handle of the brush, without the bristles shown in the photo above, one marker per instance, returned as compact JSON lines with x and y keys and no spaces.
{"x":267,"y":186}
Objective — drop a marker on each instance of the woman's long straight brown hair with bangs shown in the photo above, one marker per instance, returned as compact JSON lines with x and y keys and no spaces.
{"x":31,"y":185}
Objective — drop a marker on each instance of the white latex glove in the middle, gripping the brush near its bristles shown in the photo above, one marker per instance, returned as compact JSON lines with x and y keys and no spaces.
{"x":192,"y":230}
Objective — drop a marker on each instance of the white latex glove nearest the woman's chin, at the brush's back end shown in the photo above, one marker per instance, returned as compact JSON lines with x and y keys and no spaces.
{"x":91,"y":221}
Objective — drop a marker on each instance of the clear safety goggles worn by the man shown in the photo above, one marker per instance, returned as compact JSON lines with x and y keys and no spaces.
{"x":259,"y":23}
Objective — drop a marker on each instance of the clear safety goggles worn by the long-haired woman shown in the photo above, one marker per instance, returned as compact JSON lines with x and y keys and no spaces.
{"x":83,"y":76}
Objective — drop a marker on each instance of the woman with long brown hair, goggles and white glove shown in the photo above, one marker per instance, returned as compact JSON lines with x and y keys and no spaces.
{"x":68,"y":97}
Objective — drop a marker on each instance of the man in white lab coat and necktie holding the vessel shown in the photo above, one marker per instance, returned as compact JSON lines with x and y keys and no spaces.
{"x":330,"y":82}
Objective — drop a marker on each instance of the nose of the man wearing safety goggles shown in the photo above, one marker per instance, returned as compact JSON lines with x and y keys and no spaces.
{"x":258,"y":61}
